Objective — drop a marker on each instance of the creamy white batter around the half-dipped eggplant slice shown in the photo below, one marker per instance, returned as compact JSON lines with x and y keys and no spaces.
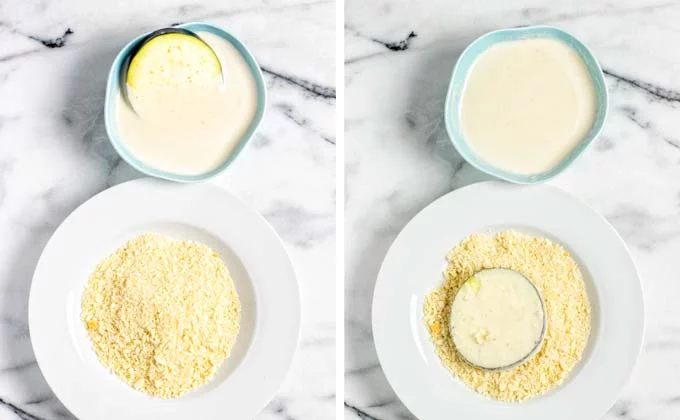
{"x":192,"y":129}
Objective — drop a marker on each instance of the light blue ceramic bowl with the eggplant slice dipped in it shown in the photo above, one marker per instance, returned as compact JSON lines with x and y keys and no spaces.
{"x":113,"y":90}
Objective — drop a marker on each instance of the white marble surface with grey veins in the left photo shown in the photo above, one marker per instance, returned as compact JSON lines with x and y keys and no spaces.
{"x":54,"y":155}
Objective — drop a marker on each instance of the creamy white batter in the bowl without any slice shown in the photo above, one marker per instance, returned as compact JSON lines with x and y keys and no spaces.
{"x":526,"y":104}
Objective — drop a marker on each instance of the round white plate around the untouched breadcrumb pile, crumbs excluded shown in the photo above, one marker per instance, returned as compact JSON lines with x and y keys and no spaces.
{"x":257,"y":262}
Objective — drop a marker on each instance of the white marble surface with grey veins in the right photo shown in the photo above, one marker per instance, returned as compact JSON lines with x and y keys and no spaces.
{"x":399,"y":159}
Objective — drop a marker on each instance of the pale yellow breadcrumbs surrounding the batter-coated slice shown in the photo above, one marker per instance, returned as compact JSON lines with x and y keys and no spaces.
{"x":558,"y":279}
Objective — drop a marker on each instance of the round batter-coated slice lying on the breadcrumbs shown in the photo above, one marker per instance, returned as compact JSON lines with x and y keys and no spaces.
{"x":497,"y":322}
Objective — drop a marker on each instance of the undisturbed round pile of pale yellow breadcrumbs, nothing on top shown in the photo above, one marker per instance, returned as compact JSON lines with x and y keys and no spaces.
{"x":161,"y":314}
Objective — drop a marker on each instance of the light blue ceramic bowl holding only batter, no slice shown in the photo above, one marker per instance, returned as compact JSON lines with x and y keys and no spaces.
{"x":459,"y":77}
